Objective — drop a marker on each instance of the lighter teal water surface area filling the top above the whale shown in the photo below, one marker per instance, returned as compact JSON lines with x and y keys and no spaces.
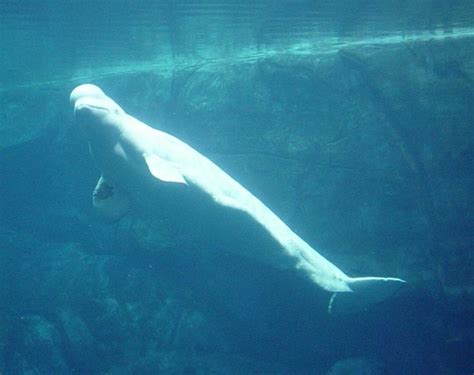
{"x":44,"y":41}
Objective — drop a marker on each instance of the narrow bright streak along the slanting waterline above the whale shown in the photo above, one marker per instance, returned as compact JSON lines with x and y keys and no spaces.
{"x":211,"y":58}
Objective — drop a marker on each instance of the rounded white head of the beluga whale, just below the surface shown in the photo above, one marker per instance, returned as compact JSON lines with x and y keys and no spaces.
{"x":96,"y":112}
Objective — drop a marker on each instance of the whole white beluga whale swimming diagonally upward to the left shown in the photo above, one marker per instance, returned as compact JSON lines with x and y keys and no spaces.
{"x":135,"y":160}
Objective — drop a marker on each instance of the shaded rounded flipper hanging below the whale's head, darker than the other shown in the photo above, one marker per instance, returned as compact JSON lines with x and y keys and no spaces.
{"x":110,"y":203}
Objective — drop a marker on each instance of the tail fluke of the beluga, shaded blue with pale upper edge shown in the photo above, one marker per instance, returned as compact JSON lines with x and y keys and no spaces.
{"x":365,"y":291}
